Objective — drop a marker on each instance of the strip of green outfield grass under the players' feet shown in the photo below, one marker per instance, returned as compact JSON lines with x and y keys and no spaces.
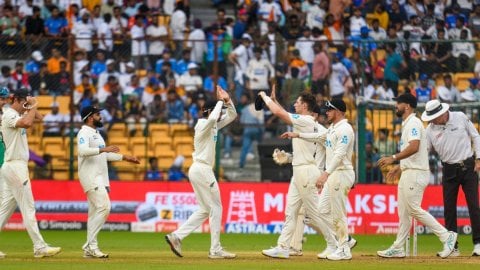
{"x":149,"y":251}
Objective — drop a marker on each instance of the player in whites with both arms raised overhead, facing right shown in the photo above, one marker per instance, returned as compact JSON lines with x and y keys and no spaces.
{"x":203,"y":180}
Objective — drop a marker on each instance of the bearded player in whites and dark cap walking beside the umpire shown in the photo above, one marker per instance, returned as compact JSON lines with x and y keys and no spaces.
{"x":414,"y":178}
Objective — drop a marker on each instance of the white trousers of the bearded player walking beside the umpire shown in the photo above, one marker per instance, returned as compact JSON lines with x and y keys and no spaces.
{"x":411,"y":187}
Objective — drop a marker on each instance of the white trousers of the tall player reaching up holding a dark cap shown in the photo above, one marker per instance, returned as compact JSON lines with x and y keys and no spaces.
{"x":303,"y":191}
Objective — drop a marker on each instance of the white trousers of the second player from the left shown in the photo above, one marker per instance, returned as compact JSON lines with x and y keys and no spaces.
{"x":98,"y":210}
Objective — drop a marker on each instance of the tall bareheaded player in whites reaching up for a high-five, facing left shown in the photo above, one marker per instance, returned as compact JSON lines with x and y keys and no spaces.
{"x":302,"y":190}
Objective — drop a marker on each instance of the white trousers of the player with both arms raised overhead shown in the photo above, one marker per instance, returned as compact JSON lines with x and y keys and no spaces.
{"x":207,"y":194}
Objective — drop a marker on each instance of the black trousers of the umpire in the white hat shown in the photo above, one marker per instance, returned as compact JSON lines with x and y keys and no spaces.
{"x":454,"y":176}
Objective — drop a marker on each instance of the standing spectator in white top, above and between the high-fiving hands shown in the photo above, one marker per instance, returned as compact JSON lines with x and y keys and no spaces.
{"x":239,"y":57}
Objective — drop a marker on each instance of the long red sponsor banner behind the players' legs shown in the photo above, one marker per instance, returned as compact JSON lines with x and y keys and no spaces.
{"x":247,"y":207}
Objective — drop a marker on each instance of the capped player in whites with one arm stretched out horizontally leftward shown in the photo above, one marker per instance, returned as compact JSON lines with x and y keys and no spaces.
{"x":339,"y":143}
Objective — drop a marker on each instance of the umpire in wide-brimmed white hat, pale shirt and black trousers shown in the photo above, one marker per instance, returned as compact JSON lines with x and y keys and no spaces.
{"x":455,"y":139}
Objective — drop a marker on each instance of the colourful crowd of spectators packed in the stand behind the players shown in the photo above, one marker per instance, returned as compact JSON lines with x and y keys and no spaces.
{"x":153,"y":61}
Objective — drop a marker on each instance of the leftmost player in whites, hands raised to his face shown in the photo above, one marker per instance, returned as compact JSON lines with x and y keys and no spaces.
{"x":17,"y":189}
